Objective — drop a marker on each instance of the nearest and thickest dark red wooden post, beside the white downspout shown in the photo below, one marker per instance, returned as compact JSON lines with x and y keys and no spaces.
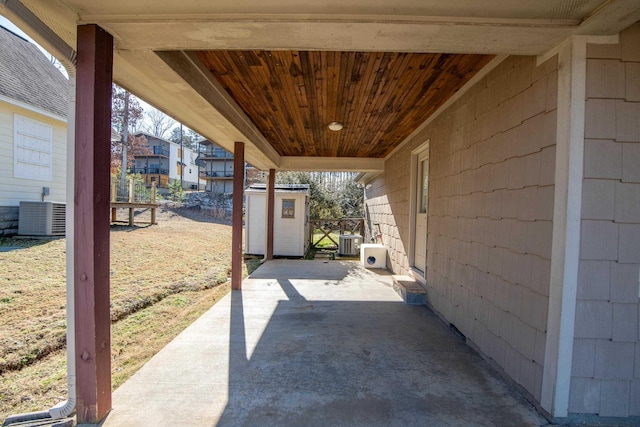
{"x":91,"y":223}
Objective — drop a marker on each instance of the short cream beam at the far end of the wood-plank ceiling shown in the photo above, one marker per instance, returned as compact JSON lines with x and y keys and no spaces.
{"x":331,"y":164}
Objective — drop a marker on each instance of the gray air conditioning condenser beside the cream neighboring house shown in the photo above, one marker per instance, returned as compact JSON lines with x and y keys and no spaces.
{"x":41,"y":219}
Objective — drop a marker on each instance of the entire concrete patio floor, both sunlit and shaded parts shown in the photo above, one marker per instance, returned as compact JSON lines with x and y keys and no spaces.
{"x":313,"y":343}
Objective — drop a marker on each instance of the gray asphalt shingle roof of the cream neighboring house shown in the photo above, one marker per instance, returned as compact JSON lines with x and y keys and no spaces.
{"x":28,"y":76}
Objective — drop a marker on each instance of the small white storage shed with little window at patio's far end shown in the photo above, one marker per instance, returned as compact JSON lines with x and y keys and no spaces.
{"x":291,"y":220}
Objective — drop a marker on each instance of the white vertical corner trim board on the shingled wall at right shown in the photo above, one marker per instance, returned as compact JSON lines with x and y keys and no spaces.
{"x":565,"y":250}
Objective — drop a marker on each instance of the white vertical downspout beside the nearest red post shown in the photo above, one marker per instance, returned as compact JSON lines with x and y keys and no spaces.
{"x":67,"y":407}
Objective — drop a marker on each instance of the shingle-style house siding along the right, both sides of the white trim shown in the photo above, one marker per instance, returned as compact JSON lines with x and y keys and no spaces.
{"x":492,"y":168}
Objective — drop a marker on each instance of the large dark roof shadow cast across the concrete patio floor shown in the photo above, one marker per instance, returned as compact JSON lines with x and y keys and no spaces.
{"x":359,"y":363}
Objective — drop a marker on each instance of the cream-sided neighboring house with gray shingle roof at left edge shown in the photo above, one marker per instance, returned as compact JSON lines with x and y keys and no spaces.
{"x":33,"y":128}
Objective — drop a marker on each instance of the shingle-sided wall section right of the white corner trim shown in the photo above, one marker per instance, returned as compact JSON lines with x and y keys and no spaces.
{"x":606,"y":359}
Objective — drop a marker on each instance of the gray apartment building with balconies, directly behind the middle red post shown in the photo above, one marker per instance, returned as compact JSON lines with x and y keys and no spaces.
{"x":216,"y":169}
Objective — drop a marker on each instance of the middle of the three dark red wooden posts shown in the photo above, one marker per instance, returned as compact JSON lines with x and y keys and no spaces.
{"x":236,"y":221}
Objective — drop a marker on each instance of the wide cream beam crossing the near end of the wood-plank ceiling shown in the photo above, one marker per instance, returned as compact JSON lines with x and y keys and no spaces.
{"x":389,"y":35}
